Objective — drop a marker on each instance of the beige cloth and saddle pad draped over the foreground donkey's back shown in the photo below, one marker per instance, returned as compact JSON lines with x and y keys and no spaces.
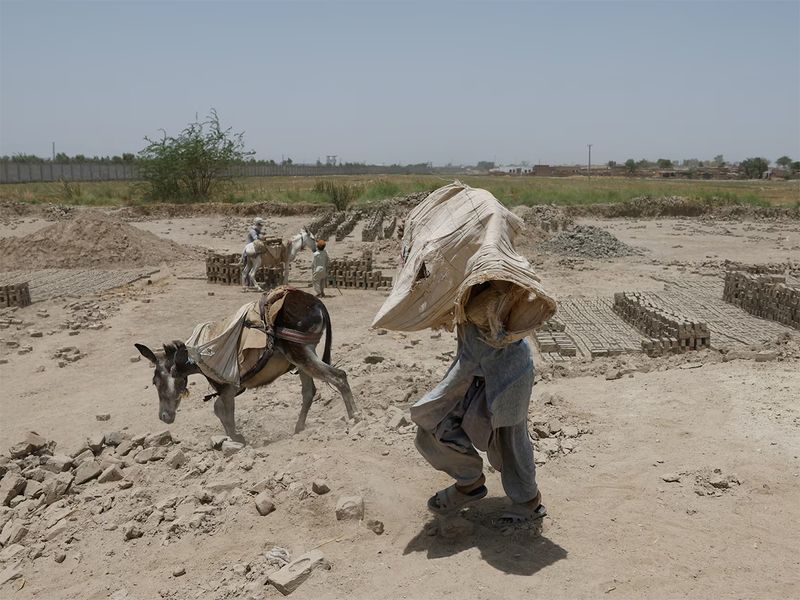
{"x":231,"y":351}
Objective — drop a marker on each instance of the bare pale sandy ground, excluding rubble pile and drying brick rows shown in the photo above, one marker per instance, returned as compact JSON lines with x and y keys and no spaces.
{"x":615,"y":528}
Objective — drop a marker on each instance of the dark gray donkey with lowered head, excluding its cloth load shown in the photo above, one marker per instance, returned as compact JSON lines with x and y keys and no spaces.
{"x":295,"y":338}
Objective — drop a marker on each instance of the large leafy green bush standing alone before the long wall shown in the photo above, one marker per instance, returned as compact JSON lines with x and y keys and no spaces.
{"x":193,"y":165}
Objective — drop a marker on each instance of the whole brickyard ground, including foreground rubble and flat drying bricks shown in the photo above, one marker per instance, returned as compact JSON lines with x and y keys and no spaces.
{"x":666,"y":477}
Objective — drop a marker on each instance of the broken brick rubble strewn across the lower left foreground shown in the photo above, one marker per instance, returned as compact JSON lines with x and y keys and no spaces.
{"x":47,"y":497}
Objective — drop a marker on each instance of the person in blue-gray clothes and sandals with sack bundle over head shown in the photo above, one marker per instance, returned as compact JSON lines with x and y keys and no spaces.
{"x":460,"y":270}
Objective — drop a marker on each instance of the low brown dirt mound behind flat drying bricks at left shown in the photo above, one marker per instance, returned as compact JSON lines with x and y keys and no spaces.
{"x":89,"y":241}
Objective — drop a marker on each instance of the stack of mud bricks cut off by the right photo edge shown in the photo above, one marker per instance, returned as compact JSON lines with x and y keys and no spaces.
{"x":766,"y":296}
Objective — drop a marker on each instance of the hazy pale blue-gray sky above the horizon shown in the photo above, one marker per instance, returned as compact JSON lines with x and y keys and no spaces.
{"x":407,"y":82}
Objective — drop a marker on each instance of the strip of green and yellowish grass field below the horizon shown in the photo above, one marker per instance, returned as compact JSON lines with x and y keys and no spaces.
{"x":510,"y":190}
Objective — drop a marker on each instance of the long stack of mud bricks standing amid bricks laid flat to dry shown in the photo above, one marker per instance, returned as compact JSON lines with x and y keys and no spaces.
{"x":667,"y":331}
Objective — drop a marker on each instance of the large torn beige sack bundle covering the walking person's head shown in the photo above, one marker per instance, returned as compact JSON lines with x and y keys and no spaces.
{"x":457,"y":238}
